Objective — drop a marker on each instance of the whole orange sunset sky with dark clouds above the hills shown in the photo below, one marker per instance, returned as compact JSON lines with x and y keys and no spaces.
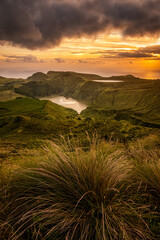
{"x":106,"y":37}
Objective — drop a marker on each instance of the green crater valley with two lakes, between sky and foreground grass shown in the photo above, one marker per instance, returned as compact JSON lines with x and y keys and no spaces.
{"x":123,"y":109}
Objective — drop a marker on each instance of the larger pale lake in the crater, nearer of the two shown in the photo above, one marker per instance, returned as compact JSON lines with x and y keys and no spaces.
{"x":67,"y":102}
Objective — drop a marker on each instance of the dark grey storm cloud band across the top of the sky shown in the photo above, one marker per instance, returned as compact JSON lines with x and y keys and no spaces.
{"x":44,"y":23}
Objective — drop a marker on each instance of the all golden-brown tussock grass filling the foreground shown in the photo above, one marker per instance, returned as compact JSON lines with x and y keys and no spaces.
{"x":65,"y":191}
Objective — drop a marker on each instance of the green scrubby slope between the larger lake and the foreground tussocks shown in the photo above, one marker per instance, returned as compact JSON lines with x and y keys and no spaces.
{"x":26,"y":123}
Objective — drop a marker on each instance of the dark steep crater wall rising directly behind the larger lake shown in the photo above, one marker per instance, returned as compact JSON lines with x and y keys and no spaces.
{"x":60,"y":83}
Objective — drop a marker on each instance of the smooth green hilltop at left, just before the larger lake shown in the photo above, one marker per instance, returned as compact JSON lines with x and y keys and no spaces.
{"x":41,"y":109}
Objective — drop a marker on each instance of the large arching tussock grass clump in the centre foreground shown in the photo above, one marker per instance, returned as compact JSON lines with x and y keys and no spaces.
{"x":75,"y":195}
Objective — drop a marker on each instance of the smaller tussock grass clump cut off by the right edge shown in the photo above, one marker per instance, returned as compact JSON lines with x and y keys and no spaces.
{"x":145,"y":156}
